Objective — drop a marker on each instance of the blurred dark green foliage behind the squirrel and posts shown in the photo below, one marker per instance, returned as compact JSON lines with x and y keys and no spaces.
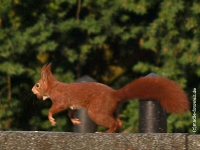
{"x":114,"y":42}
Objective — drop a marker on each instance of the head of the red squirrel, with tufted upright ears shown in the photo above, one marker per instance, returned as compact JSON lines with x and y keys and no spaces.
{"x":43,"y":86}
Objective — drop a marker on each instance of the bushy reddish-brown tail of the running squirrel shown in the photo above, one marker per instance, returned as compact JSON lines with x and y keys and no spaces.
{"x":172,"y":98}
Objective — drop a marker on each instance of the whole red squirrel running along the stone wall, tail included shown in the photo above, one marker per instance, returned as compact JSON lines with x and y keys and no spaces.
{"x":101,"y":101}
